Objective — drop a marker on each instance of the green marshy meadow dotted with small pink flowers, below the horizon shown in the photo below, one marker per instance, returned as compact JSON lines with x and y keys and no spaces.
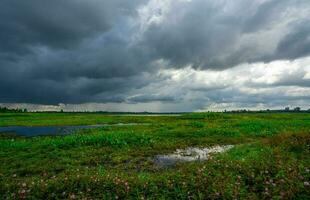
{"x":270,"y":157}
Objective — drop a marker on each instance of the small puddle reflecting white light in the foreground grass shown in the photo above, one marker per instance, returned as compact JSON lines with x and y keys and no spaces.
{"x":190,"y":154}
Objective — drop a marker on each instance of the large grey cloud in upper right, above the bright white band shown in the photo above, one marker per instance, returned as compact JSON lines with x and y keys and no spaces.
{"x":212,"y":35}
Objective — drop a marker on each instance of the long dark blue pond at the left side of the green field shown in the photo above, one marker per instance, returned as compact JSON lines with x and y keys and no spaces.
{"x":31,"y":131}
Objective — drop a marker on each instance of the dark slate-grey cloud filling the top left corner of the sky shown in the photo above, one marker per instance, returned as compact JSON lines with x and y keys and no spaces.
{"x":57,"y":24}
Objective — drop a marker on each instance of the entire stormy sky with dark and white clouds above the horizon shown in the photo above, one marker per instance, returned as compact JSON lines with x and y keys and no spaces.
{"x":154,"y":55}
